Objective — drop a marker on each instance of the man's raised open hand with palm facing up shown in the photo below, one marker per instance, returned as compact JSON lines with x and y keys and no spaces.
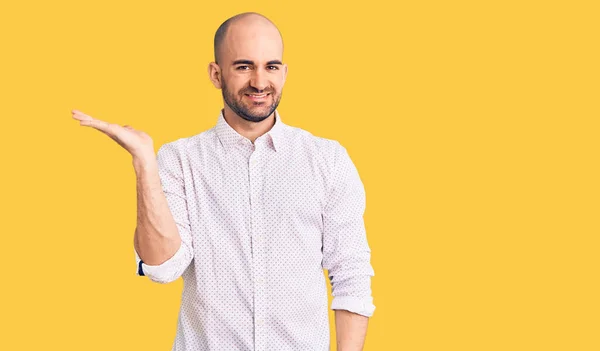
{"x":136,"y":142}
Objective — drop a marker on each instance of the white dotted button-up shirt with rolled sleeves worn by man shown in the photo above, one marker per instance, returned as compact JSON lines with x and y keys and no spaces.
{"x":259,"y":223}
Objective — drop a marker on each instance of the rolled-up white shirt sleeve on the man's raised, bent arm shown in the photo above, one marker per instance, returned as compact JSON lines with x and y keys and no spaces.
{"x":170,"y":170}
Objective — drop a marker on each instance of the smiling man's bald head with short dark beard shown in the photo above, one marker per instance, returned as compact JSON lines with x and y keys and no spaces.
{"x":248,"y":65}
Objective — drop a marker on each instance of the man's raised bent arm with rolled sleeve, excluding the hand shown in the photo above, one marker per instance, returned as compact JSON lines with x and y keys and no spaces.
{"x":162,"y":239}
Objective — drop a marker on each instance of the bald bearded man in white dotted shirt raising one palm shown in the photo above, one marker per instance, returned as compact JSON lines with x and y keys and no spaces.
{"x":250,"y":212}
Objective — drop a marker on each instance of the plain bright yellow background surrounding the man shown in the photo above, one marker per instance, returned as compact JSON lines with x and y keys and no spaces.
{"x":473,"y":124}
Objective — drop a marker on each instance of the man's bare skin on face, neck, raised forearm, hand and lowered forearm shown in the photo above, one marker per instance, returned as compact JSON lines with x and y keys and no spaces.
{"x":257,"y":42}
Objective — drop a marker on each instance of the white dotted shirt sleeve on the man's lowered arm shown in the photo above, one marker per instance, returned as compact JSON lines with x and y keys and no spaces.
{"x":346,"y":252}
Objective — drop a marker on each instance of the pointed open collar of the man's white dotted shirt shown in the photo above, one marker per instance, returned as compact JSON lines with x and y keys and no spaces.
{"x":229,"y":137}
